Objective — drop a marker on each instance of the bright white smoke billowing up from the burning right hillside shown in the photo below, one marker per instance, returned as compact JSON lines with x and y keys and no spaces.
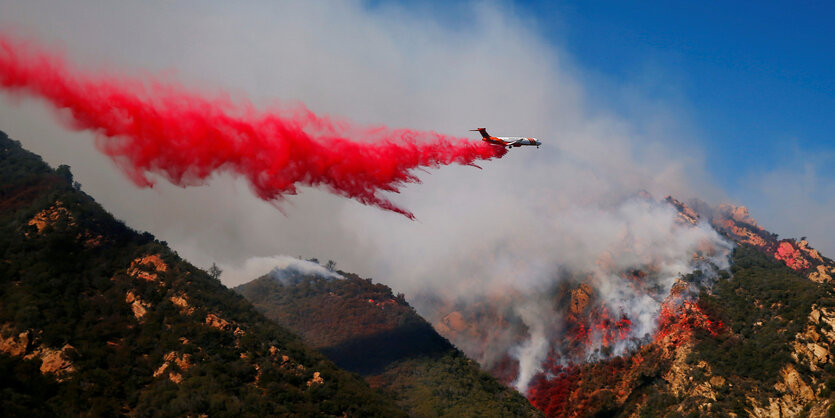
{"x":584,"y":242}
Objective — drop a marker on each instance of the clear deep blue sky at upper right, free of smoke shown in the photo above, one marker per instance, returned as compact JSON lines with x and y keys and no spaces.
{"x":756,"y":78}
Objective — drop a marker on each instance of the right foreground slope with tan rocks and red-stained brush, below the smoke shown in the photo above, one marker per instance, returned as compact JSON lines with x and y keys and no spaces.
{"x":756,"y":342}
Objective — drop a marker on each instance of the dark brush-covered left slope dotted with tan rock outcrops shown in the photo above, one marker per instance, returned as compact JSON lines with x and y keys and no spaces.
{"x":97,"y":319}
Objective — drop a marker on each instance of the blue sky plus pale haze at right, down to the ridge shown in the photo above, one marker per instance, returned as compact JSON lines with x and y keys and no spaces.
{"x":755,"y":81}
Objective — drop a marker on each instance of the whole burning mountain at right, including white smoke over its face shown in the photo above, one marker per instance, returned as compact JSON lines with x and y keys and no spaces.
{"x":636,"y":337}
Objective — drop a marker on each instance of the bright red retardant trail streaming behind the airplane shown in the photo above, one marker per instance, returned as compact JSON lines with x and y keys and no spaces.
{"x":147,"y":126}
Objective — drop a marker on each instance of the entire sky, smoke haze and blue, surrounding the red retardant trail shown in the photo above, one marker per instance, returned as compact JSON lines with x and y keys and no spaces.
{"x":728,"y":104}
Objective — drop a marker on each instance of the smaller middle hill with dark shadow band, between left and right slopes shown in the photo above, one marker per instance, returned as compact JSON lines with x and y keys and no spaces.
{"x":364,"y":328}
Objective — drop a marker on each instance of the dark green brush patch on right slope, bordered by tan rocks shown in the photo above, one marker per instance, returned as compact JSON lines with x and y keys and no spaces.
{"x":765,"y":305}
